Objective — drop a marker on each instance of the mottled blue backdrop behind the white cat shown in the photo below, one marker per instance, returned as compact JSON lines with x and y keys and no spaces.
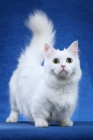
{"x":73,"y":20}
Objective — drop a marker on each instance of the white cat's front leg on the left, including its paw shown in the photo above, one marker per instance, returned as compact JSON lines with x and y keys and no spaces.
{"x":39,"y":111}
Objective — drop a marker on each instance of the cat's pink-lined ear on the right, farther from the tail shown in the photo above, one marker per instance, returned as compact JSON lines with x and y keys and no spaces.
{"x":73,"y":48}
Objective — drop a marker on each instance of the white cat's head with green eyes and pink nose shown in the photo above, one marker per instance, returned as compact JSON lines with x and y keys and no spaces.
{"x":63,"y":64}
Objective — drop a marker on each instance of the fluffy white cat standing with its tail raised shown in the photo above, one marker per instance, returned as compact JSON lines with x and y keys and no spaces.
{"x":45,"y":93}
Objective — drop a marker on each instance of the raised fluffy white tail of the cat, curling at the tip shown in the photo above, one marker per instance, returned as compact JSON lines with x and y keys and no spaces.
{"x":43,"y":32}
